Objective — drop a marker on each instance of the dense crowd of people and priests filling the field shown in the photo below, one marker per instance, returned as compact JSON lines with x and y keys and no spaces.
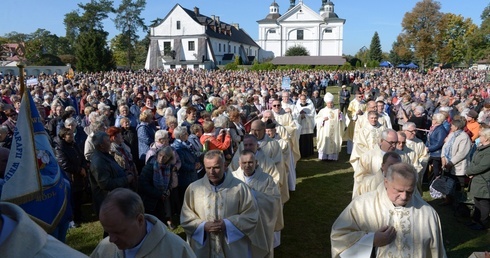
{"x":219,"y":149}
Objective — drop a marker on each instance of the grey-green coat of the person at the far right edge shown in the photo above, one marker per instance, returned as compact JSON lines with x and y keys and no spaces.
{"x":479,"y":168}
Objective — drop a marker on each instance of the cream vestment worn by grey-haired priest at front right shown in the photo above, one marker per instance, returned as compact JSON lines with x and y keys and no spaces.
{"x":417,"y":225}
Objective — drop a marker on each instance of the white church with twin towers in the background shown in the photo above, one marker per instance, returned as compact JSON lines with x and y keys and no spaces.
{"x":320,"y":33}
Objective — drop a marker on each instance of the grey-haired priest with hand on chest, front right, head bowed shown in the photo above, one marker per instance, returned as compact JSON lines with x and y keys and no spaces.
{"x":391,"y":221}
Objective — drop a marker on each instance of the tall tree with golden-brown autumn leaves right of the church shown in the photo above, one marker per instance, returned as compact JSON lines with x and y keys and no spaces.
{"x":420,"y":29}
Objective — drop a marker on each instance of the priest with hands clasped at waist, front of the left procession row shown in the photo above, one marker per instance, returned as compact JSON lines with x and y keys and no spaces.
{"x":219,"y":213}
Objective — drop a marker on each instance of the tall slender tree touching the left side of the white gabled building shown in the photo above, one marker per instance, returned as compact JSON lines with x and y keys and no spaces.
{"x":128,"y":20}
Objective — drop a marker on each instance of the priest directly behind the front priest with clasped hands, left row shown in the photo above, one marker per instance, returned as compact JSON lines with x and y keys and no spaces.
{"x":268,"y":198}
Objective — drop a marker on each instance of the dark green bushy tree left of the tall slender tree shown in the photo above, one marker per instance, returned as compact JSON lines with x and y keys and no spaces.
{"x":92,"y":52}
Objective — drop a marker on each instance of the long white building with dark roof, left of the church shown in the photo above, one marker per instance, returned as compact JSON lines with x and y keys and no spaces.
{"x":187,"y":39}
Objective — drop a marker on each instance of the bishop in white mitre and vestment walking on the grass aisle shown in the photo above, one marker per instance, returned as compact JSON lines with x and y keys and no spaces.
{"x":329,"y":129}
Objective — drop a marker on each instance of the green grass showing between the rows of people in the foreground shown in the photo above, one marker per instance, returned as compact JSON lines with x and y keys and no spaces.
{"x":323,"y":191}
